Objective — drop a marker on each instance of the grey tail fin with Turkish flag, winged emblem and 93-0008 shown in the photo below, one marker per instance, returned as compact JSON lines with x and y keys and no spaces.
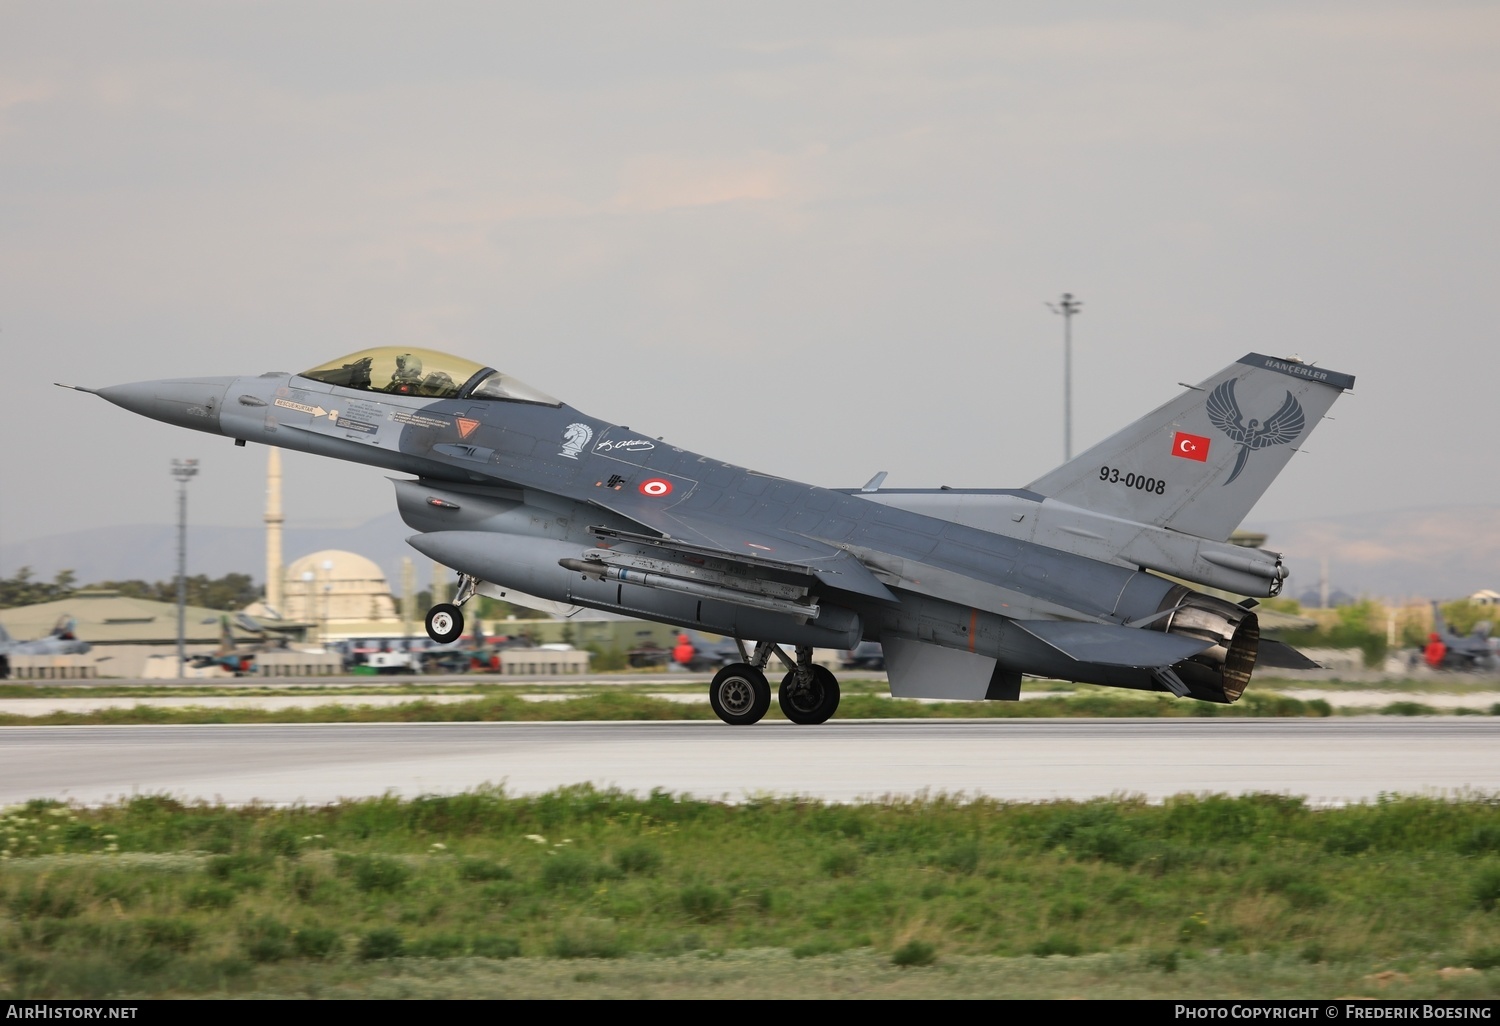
{"x":1202,"y":461}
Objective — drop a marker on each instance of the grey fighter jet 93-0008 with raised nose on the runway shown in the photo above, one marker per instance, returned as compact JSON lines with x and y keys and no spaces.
{"x":967,"y":590}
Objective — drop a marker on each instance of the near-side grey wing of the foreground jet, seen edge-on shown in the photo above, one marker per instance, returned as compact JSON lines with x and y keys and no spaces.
{"x":707,"y":536}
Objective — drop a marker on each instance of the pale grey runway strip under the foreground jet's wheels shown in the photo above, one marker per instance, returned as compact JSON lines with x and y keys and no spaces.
{"x":1328,"y":761}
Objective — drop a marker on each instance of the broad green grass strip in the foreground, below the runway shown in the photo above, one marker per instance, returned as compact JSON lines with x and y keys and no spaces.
{"x":1214,"y":896}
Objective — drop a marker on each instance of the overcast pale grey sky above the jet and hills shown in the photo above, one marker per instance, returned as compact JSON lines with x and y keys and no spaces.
{"x":815,"y":239}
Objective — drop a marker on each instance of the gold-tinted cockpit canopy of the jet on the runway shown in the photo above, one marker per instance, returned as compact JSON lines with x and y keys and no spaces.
{"x":424,"y":373}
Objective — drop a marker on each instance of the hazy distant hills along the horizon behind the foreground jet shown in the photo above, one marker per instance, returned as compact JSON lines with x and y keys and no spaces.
{"x":1441,"y":553}
